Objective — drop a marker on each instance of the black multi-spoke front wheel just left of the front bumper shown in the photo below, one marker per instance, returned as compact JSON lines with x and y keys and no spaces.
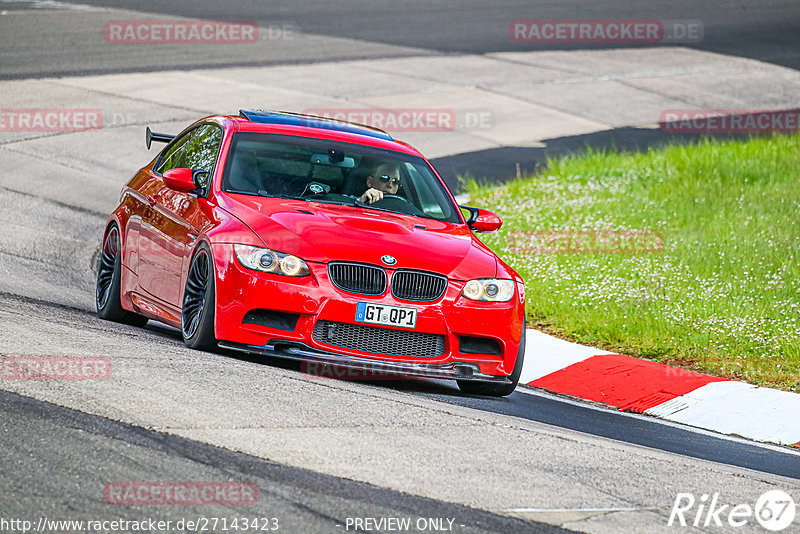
{"x":197,"y":312}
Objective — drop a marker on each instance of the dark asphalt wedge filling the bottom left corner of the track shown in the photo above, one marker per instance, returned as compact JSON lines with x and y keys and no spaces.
{"x":302,"y":501}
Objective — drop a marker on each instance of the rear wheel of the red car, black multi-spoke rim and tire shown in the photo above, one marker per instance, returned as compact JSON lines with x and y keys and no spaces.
{"x":107,"y":290}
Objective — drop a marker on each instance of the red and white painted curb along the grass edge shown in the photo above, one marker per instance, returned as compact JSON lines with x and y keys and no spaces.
{"x":670,"y":393}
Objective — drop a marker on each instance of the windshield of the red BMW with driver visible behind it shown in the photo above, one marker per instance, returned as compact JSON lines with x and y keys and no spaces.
{"x":327,"y":171}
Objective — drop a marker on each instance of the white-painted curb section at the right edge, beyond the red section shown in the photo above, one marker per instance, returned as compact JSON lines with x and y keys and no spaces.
{"x":739,"y":408}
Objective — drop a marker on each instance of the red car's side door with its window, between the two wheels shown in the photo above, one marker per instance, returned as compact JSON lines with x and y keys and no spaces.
{"x":174,"y":220}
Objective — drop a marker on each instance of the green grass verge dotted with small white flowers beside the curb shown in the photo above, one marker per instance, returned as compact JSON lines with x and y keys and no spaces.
{"x":723,"y":294}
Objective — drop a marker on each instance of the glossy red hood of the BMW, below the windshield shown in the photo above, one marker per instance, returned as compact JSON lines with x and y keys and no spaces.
{"x":321,"y":232}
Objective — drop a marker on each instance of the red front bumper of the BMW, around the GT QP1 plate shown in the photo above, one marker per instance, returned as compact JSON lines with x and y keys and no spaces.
{"x":315,"y":298}
